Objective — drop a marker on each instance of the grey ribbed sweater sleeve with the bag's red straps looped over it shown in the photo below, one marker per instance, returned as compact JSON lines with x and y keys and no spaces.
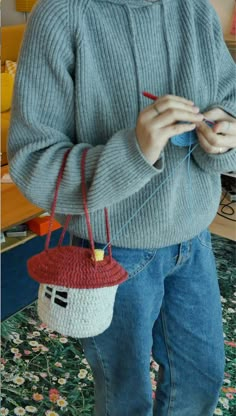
{"x":42,"y":126}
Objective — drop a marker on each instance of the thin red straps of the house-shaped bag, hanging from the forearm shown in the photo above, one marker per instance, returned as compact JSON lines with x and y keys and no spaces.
{"x":68,"y":218}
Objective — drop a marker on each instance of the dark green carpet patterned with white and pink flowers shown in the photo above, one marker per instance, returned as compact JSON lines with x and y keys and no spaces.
{"x":44,"y":373}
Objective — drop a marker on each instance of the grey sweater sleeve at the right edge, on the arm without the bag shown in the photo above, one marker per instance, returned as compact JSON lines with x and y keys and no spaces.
{"x":225,"y":99}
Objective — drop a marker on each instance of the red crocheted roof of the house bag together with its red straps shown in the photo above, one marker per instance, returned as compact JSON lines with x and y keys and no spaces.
{"x":75,"y":267}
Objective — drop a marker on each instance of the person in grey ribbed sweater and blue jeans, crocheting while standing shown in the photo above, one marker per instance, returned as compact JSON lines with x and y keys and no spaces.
{"x":82,"y":69}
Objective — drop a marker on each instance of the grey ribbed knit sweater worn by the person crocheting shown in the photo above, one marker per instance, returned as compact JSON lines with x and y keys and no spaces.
{"x":82,"y":68}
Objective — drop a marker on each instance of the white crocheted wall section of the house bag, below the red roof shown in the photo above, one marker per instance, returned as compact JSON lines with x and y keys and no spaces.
{"x":86,"y":312}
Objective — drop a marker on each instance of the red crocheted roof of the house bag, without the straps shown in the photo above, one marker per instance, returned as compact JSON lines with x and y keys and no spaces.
{"x":73,"y":267}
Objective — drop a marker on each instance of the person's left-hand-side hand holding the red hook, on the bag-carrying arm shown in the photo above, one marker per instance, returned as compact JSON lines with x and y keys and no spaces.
{"x":156,"y":124}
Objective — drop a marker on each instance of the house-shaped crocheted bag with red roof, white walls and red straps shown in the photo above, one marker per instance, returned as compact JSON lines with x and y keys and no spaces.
{"x":77,"y":285}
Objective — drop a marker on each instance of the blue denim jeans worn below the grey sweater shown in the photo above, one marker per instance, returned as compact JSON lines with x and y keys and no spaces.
{"x":169,"y":305}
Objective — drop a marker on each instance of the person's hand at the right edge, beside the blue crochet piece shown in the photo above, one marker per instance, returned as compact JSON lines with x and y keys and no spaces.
{"x":222,"y":136}
